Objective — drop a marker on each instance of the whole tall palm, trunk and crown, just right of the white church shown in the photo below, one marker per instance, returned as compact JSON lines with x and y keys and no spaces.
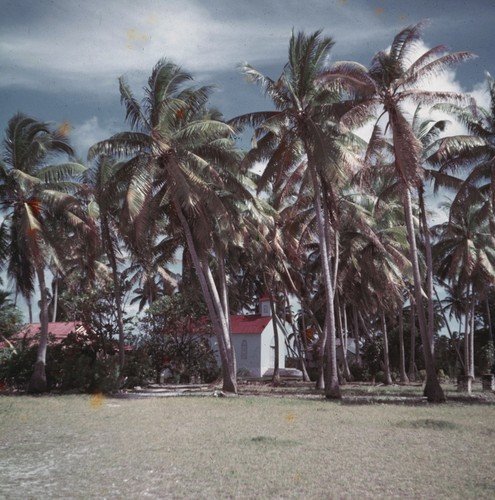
{"x":302,"y":126}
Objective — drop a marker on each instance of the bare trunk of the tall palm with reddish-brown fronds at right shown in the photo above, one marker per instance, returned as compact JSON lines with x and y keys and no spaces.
{"x":433,"y":390}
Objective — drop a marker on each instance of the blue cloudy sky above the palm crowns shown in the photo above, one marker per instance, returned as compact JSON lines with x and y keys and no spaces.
{"x":60,"y":60}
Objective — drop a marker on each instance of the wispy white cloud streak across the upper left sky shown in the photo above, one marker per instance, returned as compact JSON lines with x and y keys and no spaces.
{"x":86,"y":45}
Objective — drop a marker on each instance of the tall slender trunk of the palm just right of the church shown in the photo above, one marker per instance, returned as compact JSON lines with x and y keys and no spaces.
{"x":332,"y":389}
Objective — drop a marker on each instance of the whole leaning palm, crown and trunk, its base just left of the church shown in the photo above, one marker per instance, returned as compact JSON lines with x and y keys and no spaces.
{"x":183,"y":158}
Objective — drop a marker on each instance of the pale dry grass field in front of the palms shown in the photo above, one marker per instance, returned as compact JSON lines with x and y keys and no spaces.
{"x":246,"y":447}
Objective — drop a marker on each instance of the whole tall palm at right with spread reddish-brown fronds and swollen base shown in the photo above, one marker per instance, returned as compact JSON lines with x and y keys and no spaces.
{"x":392,"y":80}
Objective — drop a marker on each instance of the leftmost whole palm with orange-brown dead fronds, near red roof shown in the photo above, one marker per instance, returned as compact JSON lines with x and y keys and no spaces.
{"x":33,"y":196}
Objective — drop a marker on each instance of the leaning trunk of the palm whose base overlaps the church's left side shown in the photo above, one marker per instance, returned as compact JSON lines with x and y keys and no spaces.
{"x":214,"y":306}
